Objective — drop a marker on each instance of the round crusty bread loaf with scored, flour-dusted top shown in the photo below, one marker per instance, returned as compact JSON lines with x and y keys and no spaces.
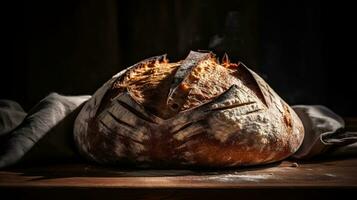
{"x":195,"y":112}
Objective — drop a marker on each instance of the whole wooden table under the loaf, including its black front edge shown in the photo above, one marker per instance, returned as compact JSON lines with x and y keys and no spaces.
{"x":320,"y":179}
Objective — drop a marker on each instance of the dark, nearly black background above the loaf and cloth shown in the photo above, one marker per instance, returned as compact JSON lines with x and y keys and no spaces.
{"x":304,"y":49}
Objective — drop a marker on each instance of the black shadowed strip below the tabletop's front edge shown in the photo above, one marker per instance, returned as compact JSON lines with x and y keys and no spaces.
{"x":115,"y":193}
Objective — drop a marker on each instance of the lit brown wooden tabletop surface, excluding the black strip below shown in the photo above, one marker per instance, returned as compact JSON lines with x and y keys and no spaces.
{"x":287,"y":174}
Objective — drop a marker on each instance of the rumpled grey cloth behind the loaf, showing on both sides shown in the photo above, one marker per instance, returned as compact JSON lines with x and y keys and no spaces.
{"x":46,"y":132}
